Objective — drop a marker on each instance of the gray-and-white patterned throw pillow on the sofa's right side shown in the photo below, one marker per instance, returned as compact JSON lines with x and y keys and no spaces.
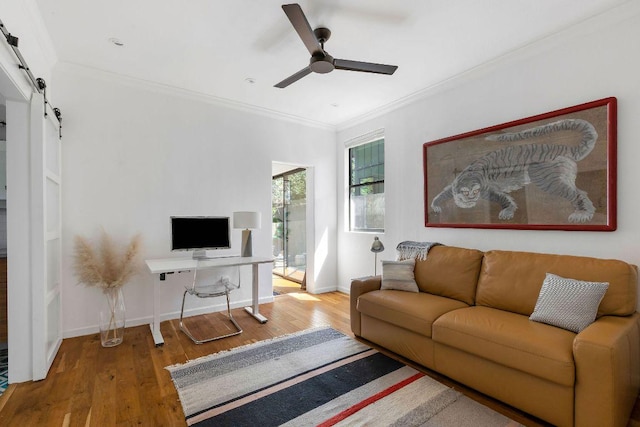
{"x":567,"y":303}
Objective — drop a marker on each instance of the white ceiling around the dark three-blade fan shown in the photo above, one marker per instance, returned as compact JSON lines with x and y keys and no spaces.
{"x":212,"y":47}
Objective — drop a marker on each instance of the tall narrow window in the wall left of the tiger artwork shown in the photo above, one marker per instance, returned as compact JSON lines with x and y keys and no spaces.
{"x":366,"y":186}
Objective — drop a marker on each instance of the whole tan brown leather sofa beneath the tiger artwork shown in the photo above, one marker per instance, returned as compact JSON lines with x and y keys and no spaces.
{"x":470,"y":322}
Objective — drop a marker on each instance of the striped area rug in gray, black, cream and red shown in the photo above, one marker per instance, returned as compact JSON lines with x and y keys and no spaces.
{"x":317,"y":377}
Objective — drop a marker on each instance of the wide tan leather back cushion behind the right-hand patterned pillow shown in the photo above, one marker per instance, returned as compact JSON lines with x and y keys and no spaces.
{"x":512,"y":280}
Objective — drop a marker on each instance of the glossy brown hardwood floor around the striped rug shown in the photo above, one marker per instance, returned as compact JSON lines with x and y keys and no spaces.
{"x":127,"y":385}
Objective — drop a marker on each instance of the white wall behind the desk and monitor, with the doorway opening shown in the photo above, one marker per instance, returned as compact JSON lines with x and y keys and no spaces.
{"x":134,"y":154}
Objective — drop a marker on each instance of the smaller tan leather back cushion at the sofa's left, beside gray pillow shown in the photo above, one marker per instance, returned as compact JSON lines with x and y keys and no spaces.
{"x":450,"y":272}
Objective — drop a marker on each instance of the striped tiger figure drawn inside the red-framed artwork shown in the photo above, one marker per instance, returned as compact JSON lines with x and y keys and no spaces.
{"x":551,"y":167}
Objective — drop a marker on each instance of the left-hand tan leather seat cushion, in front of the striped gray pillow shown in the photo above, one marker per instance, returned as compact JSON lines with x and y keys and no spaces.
{"x":413,"y":311}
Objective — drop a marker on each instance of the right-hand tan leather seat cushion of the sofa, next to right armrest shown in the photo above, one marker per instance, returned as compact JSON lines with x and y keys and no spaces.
{"x":511,"y":340}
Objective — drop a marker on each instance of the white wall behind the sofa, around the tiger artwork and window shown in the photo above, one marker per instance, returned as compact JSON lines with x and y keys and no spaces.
{"x":588,"y":62}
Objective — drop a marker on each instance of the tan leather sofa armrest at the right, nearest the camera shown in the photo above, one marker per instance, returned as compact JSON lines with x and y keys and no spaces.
{"x":607,"y":358}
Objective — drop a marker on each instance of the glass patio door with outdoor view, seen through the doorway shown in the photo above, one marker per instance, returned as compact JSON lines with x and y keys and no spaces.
{"x":289,"y":206}
